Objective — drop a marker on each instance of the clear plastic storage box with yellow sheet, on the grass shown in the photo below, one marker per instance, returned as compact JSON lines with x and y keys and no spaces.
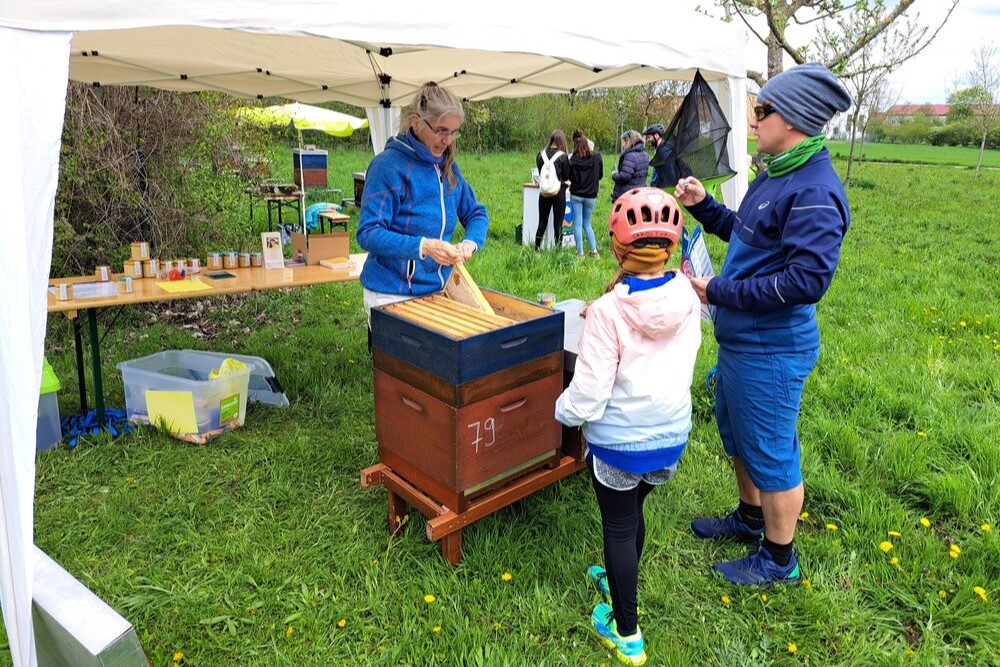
{"x":167,"y":386}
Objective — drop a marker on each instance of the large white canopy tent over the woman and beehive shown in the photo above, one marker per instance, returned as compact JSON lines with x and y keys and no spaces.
{"x":305,"y":50}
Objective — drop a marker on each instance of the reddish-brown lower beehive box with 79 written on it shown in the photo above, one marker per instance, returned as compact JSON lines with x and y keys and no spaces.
{"x":454,"y":453}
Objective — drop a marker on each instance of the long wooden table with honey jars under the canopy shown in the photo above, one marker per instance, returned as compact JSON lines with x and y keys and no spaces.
{"x":145,"y":290}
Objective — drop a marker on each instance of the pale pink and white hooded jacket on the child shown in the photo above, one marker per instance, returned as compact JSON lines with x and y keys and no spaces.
{"x":633,"y":375}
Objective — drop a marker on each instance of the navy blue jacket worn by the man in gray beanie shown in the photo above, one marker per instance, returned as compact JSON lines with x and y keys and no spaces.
{"x":784,"y":246}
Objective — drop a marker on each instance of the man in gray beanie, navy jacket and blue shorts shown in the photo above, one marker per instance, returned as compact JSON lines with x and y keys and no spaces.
{"x":784,"y":247}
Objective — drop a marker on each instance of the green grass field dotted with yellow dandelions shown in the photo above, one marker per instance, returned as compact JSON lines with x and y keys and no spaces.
{"x":262,"y":549}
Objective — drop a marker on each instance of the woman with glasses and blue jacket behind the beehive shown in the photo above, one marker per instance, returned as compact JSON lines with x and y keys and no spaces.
{"x":414,"y":198}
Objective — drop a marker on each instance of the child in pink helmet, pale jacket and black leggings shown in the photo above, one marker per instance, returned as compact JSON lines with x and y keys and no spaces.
{"x":631,"y":393}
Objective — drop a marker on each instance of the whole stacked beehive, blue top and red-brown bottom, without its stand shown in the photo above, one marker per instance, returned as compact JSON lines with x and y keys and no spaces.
{"x":465,"y":401}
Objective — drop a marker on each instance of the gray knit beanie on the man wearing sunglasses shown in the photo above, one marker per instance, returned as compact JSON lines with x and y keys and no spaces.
{"x":807,"y":96}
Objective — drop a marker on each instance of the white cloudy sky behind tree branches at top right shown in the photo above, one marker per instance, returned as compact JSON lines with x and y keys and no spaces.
{"x":939,"y":69}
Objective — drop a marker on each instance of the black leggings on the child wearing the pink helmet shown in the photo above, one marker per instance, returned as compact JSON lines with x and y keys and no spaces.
{"x":624,"y":536}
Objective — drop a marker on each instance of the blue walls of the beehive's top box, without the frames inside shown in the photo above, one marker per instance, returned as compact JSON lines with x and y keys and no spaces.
{"x":537,"y":331}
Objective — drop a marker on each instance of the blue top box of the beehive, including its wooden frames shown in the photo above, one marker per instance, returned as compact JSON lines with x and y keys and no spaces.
{"x":463,"y":347}
